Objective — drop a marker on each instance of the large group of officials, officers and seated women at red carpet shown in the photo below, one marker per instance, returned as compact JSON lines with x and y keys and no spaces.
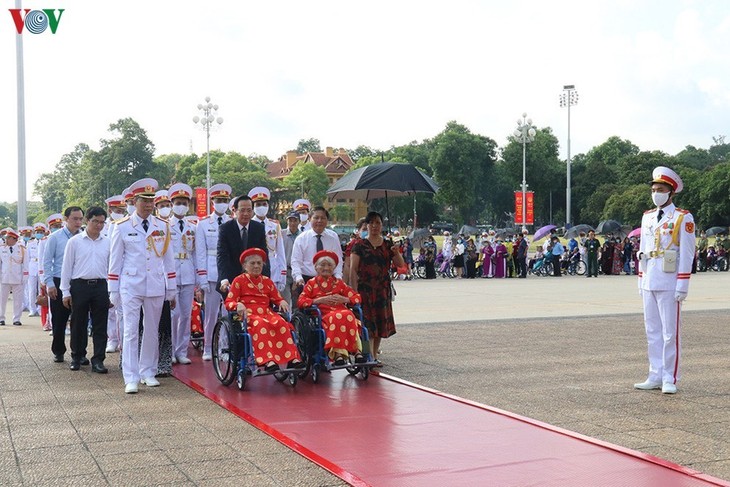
{"x":136,"y":274}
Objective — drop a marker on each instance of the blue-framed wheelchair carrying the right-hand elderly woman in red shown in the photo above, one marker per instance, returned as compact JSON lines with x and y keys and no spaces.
{"x":308,"y":325}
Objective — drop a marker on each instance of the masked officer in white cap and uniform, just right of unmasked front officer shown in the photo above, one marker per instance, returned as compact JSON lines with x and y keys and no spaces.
{"x":183,"y":246}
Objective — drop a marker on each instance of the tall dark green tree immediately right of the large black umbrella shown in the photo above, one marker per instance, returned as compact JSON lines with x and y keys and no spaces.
{"x":459,"y":161}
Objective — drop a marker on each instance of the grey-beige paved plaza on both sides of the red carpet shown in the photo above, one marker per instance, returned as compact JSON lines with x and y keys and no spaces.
{"x":564,"y":351}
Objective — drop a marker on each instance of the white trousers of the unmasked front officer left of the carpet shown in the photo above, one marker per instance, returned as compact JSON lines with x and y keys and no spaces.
{"x":141,"y":364}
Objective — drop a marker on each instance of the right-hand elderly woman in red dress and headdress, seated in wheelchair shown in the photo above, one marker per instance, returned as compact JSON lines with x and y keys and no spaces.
{"x":332,"y":297}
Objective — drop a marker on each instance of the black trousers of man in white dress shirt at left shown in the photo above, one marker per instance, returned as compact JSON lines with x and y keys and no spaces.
{"x":88,"y":299}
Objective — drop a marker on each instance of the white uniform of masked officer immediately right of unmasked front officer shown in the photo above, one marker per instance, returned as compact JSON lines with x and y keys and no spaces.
{"x":183,"y":247}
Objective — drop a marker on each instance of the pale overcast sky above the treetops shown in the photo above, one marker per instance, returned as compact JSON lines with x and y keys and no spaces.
{"x":377,"y":72}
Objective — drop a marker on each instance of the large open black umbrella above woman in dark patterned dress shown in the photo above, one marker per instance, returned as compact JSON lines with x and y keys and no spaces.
{"x":382,"y":180}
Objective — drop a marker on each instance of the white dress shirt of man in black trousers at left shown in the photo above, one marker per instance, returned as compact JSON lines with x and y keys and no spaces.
{"x":84,"y":258}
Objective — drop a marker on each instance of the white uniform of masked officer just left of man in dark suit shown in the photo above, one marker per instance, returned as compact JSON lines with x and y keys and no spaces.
{"x":206,"y":252}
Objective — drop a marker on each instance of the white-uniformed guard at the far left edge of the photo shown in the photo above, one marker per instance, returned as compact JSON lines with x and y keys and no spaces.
{"x":13,"y":275}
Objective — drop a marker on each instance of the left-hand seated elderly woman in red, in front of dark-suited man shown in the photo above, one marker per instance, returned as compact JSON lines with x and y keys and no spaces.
{"x":251,"y":295}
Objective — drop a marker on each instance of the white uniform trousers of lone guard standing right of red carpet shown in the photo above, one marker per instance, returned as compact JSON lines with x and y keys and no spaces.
{"x":662,"y":322}
